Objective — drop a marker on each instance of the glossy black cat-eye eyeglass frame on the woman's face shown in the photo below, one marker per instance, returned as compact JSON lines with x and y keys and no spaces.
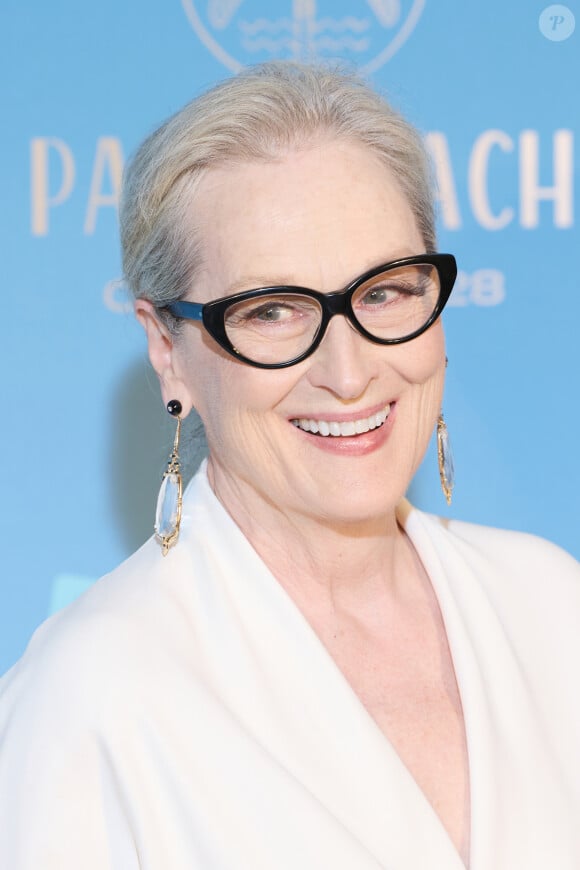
{"x":212,"y":314}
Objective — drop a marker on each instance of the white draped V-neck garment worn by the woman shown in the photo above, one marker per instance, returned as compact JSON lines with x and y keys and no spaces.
{"x":182,"y":715}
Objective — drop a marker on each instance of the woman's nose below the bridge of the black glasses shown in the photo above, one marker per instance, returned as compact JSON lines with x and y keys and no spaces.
{"x":345,"y":362}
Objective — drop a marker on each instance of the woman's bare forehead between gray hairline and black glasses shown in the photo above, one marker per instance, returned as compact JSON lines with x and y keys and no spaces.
{"x":317,"y":217}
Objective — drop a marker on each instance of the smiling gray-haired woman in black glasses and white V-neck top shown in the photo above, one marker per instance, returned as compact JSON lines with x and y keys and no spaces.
{"x":300,"y":670}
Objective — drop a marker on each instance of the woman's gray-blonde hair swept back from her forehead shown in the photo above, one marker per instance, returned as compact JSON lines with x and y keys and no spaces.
{"x":258,"y":115}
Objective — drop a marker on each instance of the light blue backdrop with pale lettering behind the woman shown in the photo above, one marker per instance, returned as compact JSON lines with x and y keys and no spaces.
{"x":84,"y":435}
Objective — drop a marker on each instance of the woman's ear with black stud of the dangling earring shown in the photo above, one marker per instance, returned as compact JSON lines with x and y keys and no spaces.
{"x":162,"y":353}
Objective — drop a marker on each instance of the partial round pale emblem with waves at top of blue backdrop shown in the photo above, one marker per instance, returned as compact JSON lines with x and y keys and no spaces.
{"x":242,"y":32}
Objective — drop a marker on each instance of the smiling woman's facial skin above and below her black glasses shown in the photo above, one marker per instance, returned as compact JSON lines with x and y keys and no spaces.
{"x":316,"y":218}
